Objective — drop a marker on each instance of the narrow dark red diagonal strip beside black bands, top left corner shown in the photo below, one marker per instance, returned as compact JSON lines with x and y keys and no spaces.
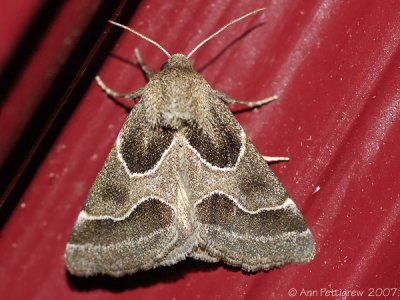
{"x":41,"y":69}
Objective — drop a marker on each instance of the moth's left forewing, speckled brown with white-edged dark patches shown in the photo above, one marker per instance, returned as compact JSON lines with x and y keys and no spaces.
{"x":126,"y":223}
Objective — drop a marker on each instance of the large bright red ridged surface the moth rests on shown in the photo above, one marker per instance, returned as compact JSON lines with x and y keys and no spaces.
{"x":335,"y":66}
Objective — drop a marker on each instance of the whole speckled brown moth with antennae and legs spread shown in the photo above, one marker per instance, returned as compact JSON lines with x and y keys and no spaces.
{"x":184,"y":180}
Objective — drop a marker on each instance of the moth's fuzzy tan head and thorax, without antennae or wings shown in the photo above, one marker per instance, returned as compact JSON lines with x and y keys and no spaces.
{"x":175,"y":97}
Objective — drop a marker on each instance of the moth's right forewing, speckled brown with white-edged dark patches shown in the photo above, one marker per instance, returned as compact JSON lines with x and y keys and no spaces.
{"x":245,"y":217}
